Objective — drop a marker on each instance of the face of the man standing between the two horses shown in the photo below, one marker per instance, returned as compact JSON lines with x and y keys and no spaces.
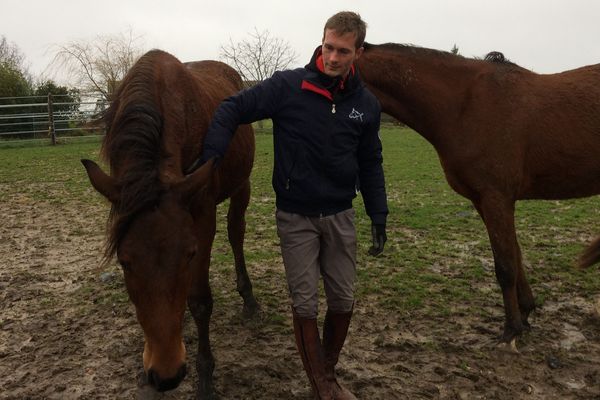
{"x":339,"y":52}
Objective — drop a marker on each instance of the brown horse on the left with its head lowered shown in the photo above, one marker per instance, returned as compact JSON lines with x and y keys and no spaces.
{"x":162,"y":223}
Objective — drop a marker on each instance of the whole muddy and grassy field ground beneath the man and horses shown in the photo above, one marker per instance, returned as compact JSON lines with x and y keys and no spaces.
{"x":427,"y":311}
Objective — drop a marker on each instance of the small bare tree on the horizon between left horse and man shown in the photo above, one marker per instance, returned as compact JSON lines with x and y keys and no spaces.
{"x":259,"y":57}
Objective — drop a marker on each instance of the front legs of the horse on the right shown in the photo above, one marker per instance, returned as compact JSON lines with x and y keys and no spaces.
{"x":498,"y":216}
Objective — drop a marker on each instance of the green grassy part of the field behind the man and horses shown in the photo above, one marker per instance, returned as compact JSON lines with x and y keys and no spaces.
{"x":437,"y":256}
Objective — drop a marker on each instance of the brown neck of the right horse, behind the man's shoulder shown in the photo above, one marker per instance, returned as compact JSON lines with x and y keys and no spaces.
{"x":423,"y":91}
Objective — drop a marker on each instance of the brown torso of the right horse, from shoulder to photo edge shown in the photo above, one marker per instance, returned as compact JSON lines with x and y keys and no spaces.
{"x":541,"y":130}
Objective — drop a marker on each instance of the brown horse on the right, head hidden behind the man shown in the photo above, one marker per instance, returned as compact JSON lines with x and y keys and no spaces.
{"x":502,"y":134}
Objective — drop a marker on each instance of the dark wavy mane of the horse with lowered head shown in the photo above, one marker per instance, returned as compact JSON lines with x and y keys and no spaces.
{"x":132,"y":147}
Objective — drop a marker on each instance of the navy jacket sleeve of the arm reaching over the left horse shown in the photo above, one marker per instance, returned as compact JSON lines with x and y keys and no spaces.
{"x":249,"y":105}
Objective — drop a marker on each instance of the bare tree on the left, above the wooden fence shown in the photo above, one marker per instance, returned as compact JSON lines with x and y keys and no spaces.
{"x":99,"y":65}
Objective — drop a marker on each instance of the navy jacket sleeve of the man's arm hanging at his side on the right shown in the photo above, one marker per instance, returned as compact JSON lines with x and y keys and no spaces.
{"x":371,"y":177}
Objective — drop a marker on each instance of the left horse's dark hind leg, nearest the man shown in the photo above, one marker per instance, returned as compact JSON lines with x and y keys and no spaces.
{"x":236,"y":229}
